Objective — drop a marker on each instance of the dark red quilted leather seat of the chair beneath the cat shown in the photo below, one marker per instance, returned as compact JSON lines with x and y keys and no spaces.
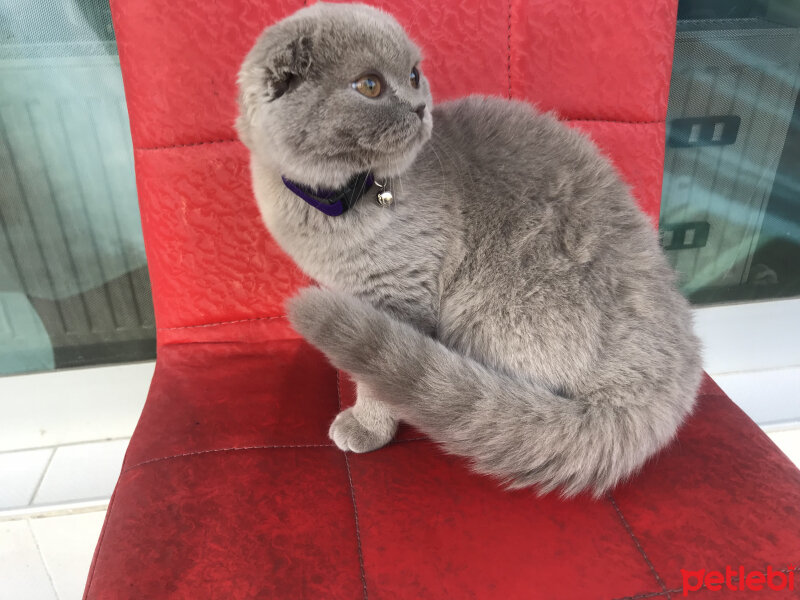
{"x":231,"y":489}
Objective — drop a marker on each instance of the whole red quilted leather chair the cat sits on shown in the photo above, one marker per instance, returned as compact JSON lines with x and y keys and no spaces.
{"x":231,"y":488}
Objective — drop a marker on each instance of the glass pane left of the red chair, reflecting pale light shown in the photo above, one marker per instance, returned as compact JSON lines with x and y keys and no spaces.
{"x":74,"y":288}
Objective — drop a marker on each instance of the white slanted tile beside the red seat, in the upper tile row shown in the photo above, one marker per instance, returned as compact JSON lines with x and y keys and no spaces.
{"x":82,"y":472}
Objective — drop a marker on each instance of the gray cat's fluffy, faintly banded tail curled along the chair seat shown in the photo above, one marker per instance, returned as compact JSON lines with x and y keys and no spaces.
{"x":516,"y":430}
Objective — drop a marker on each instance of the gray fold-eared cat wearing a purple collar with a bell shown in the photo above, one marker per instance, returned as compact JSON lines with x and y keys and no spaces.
{"x":511,"y":301}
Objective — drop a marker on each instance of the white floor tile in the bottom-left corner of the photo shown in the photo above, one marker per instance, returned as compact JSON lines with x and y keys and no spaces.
{"x":22,"y":571}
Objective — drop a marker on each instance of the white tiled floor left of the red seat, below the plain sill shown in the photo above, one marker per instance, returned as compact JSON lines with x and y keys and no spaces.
{"x":51,"y":514}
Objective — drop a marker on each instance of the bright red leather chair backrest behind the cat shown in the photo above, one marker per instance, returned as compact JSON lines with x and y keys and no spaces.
{"x":602,"y":66}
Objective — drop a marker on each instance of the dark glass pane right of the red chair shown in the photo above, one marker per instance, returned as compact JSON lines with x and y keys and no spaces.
{"x":730,"y":209}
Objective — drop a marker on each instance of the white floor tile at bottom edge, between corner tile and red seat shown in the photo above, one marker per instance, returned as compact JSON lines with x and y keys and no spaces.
{"x":67,"y":545}
